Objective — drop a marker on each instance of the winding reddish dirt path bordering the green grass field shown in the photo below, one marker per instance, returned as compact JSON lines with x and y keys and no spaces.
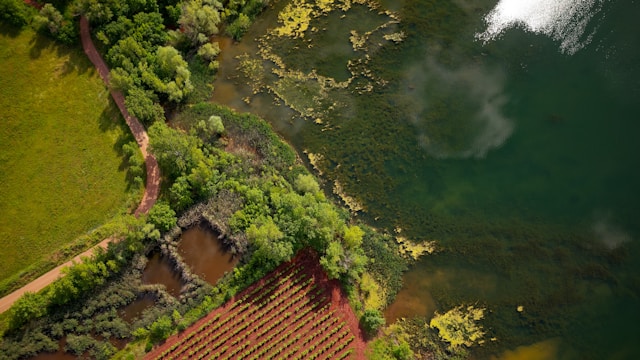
{"x":152,"y":187}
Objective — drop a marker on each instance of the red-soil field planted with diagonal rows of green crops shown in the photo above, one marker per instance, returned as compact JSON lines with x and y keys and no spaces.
{"x":294,"y":312}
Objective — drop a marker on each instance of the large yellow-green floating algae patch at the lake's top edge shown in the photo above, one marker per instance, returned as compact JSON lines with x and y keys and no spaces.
{"x":308,"y":90}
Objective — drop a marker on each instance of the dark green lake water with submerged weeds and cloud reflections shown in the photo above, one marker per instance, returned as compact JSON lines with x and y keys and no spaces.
{"x":518,"y":155}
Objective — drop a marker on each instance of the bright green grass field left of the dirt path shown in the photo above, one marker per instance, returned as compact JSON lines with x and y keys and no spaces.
{"x":61,"y":173}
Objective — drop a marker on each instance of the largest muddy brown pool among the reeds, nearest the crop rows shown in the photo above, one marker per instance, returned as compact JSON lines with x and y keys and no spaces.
{"x":203,"y":253}
